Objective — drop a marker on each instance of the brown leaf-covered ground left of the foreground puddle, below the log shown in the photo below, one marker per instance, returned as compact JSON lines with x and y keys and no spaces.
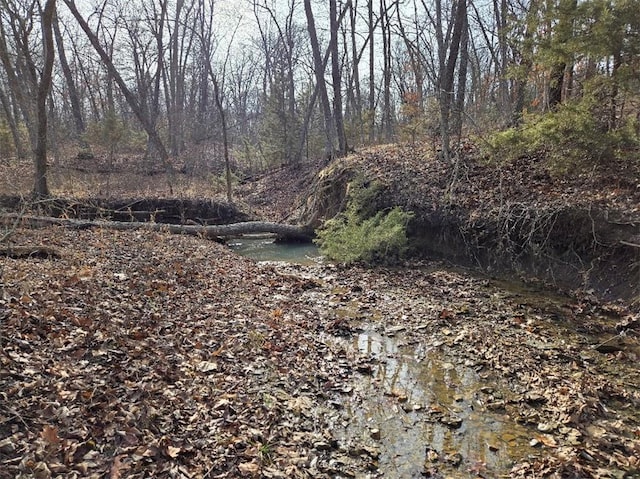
{"x":152,"y":355}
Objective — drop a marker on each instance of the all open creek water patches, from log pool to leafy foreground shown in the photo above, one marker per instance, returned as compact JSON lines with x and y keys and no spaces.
{"x":411,"y":405}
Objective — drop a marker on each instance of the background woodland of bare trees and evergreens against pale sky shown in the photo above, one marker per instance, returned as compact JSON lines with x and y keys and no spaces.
{"x":221,"y":88}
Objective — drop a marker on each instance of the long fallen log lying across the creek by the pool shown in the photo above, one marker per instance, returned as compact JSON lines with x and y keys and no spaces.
{"x":283,"y":231}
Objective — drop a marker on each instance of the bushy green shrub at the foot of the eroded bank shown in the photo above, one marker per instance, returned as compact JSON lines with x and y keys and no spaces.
{"x":360,"y":235}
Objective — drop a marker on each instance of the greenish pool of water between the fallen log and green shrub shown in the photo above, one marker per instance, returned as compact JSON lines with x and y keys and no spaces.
{"x":266,"y":249}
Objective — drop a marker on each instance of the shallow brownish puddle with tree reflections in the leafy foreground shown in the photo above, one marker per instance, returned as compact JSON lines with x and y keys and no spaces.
{"x":423,"y":413}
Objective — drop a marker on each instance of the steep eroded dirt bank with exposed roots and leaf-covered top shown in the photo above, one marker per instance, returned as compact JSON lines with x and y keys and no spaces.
{"x":576,"y":231}
